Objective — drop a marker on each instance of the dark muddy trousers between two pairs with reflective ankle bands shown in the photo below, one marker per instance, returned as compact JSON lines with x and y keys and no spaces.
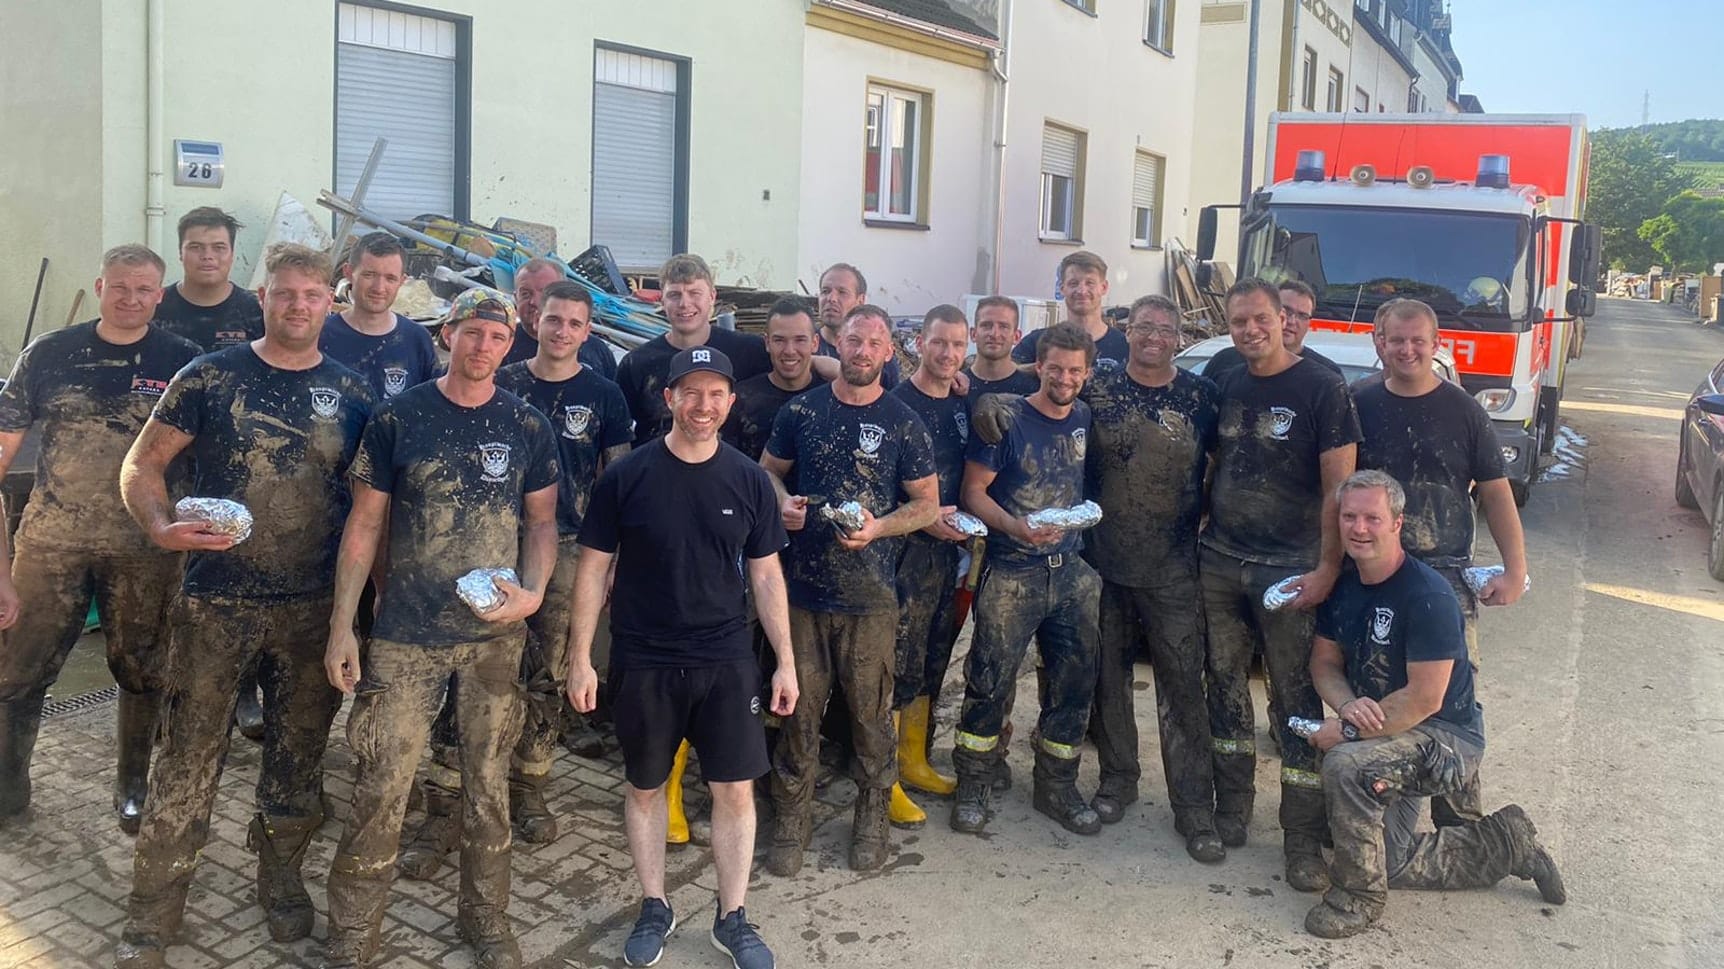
{"x":1168,"y":620}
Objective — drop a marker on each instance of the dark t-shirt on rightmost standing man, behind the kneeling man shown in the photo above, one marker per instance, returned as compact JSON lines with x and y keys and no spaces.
{"x":1437,"y":446}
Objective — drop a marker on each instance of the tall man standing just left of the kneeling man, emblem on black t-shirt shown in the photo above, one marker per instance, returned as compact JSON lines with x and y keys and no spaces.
{"x":1289,"y":437}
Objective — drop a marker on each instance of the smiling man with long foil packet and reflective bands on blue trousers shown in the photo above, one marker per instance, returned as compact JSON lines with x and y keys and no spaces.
{"x":1034,"y":587}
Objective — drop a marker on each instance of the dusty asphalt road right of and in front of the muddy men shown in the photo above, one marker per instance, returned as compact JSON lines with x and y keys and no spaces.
{"x":1604,"y":696}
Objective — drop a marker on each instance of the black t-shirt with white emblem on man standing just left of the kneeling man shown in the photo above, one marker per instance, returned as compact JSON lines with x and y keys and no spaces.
{"x":1266,"y":501}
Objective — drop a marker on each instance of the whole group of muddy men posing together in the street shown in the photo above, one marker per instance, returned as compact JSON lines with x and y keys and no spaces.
{"x":785,"y":535}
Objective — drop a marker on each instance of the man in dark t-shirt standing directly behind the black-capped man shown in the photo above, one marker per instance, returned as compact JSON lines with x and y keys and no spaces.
{"x":689,"y":296}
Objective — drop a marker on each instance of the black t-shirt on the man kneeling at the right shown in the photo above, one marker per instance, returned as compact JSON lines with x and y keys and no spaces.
{"x":1413,"y":616}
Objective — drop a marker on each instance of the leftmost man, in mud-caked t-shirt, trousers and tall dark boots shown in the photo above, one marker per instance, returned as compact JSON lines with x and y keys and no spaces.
{"x":91,"y":391}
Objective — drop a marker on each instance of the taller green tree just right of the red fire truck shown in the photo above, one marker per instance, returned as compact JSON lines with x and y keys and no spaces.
{"x":1632,"y":180}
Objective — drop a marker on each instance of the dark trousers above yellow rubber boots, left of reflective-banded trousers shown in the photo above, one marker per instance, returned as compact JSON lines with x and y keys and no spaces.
{"x":928,"y":618}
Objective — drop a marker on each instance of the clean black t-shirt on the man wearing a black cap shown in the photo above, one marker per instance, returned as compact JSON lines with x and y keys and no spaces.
{"x":682,"y":534}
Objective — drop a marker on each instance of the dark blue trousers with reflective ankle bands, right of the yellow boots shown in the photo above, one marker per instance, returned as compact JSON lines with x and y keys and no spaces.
{"x":1056,"y":603}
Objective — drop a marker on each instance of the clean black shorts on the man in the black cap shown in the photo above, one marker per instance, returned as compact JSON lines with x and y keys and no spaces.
{"x":716,"y":710}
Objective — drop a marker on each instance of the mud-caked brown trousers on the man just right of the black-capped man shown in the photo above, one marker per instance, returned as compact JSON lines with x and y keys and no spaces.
{"x":856,"y":653}
